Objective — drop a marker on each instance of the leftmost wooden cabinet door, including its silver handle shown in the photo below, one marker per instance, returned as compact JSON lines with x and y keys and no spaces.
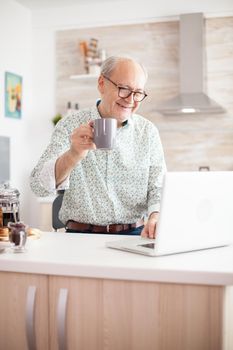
{"x":23,"y":311}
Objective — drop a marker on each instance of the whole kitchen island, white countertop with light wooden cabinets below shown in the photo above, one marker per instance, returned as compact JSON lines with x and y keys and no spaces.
{"x":86,"y":296}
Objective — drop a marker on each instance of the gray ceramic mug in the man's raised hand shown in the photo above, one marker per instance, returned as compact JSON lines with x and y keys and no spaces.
{"x":105,"y":133}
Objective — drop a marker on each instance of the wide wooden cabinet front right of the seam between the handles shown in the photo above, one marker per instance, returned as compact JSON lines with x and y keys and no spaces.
{"x":115,"y":315}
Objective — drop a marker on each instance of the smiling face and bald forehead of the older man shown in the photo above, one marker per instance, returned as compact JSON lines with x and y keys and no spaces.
{"x":126,"y":73}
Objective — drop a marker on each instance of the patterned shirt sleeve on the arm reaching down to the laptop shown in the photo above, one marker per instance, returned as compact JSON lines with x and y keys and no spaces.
{"x":156,"y":173}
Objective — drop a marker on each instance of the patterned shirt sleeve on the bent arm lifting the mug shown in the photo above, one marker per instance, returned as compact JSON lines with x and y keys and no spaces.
{"x":42,"y":178}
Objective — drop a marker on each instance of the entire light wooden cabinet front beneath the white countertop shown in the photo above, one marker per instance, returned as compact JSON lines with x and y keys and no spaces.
{"x":97,"y":314}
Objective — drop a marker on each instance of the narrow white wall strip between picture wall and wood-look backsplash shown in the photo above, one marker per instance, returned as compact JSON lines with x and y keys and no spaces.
{"x":43,"y":87}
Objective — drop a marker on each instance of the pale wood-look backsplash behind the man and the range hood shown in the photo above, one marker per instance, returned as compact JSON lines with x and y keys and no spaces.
{"x":189,"y":141}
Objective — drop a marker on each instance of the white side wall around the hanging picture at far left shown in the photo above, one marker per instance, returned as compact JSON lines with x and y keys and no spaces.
{"x":15,"y":57}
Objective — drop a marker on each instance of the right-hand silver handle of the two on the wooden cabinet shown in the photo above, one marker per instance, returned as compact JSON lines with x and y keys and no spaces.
{"x":61,"y":318}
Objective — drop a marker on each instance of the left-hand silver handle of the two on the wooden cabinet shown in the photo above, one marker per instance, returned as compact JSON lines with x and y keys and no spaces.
{"x":30,"y":317}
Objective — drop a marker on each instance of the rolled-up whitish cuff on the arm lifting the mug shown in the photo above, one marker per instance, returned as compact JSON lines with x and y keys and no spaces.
{"x":47,"y":177}
